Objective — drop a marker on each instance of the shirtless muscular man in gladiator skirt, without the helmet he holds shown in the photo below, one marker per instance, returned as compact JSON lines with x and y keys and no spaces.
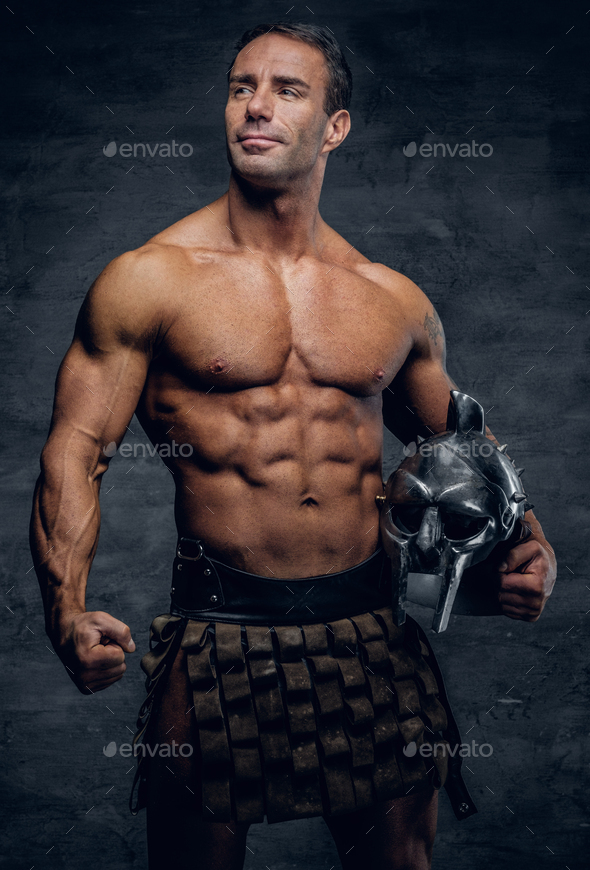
{"x":255,"y":333}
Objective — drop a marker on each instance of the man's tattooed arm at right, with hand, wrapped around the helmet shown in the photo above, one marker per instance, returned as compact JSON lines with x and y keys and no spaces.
{"x":416,"y":403}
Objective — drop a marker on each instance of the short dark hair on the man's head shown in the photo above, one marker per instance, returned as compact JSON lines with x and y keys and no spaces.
{"x":339,"y":89}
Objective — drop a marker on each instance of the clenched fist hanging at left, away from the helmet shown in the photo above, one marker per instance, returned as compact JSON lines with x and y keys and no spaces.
{"x":92,"y":646}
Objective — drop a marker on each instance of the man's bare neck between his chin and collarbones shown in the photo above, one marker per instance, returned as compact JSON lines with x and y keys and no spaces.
{"x":280,"y":223}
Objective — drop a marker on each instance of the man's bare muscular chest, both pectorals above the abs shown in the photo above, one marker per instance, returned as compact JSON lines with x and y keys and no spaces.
{"x":234,"y":330}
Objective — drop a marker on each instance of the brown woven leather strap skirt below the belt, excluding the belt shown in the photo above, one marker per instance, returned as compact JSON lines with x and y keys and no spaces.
{"x":297,"y":721}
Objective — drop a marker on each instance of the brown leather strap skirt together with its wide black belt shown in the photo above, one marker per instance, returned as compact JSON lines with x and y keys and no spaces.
{"x":307,"y":699}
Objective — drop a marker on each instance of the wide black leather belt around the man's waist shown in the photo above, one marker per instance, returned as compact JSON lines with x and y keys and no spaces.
{"x":205,"y":589}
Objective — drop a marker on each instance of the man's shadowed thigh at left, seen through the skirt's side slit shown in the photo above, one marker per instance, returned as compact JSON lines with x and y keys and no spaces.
{"x":178,"y":833}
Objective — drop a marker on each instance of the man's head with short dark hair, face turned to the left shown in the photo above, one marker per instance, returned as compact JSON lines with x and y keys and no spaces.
{"x":287,"y":107}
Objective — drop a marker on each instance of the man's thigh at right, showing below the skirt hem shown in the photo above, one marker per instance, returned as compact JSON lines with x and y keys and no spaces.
{"x":395,"y":835}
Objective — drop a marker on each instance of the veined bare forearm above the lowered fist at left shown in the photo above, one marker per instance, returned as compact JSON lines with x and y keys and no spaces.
{"x":64,"y":535}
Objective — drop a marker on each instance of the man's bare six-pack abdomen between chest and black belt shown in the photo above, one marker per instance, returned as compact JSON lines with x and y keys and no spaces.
{"x":282,"y":479}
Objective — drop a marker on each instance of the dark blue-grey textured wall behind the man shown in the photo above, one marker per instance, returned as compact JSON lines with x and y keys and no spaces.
{"x":514,"y":301}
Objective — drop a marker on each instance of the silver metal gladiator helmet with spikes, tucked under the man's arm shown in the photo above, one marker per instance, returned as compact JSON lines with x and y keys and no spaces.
{"x":447,"y":506}
